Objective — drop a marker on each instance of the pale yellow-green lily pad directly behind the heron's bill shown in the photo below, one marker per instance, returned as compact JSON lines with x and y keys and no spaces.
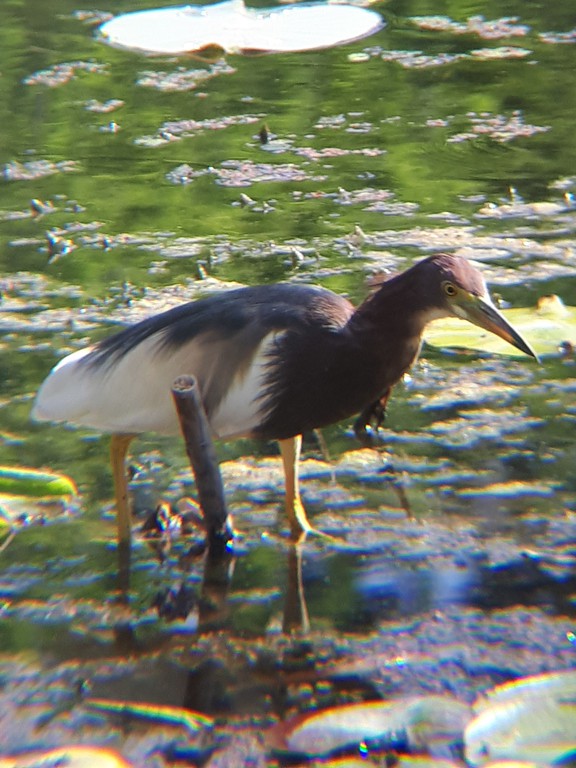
{"x":545,"y":327}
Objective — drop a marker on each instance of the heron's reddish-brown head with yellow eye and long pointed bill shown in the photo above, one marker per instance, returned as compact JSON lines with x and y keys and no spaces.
{"x":460,"y":291}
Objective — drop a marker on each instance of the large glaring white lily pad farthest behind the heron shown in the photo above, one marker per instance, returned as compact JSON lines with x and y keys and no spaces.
{"x":237,"y":29}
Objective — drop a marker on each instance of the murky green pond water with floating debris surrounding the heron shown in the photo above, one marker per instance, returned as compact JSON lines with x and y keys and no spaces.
{"x":140,"y":202}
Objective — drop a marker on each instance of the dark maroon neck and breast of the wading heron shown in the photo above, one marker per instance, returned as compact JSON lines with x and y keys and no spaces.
{"x":331,"y":373}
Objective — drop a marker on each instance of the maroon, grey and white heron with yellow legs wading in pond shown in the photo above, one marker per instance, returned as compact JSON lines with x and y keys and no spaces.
{"x":272,"y":362}
